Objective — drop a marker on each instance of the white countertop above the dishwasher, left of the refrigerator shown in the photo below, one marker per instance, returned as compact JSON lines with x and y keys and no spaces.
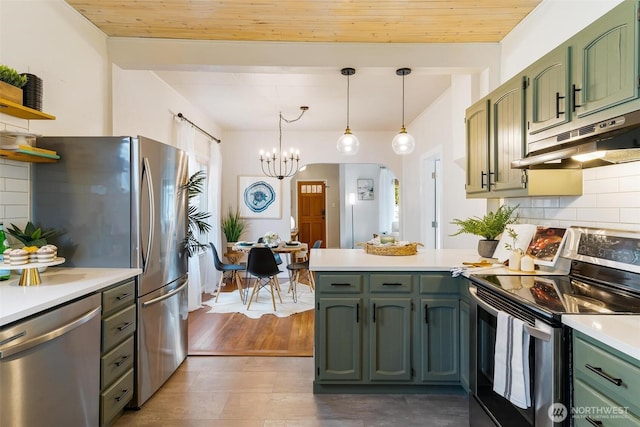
{"x":58,"y":286}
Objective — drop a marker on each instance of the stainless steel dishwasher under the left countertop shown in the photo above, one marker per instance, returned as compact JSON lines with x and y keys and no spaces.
{"x":50,"y":368}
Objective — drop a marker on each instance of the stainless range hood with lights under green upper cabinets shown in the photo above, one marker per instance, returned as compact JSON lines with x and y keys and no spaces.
{"x":612,"y":141}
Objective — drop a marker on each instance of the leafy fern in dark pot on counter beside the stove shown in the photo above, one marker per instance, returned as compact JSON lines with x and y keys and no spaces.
{"x":489,"y":227}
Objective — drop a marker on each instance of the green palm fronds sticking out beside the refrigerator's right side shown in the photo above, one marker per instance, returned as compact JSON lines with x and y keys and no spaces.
{"x":197,"y":220}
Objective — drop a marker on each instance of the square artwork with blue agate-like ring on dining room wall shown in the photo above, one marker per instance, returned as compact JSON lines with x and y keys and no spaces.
{"x":259,"y":197}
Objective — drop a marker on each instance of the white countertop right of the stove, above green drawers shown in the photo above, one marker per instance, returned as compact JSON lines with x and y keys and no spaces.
{"x":620,"y":331}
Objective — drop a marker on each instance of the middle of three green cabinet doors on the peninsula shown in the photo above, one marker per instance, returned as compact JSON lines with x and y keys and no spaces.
{"x":390,"y":339}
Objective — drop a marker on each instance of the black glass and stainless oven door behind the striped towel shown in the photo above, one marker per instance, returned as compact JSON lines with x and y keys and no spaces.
{"x":489,"y":409}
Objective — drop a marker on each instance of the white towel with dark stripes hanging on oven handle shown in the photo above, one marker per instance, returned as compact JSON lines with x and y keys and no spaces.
{"x":511,"y":361}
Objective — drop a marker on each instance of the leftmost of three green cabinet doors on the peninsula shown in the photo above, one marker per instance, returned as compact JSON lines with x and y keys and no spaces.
{"x":339,"y":339}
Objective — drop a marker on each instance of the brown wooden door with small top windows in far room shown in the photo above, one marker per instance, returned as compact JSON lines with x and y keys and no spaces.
{"x":311,"y":212}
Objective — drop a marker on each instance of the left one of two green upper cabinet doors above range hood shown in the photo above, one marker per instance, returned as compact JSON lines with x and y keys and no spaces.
{"x":547,"y":90}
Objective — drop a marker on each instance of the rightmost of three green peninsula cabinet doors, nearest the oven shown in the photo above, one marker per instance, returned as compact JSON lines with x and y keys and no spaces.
{"x":439,"y":340}
